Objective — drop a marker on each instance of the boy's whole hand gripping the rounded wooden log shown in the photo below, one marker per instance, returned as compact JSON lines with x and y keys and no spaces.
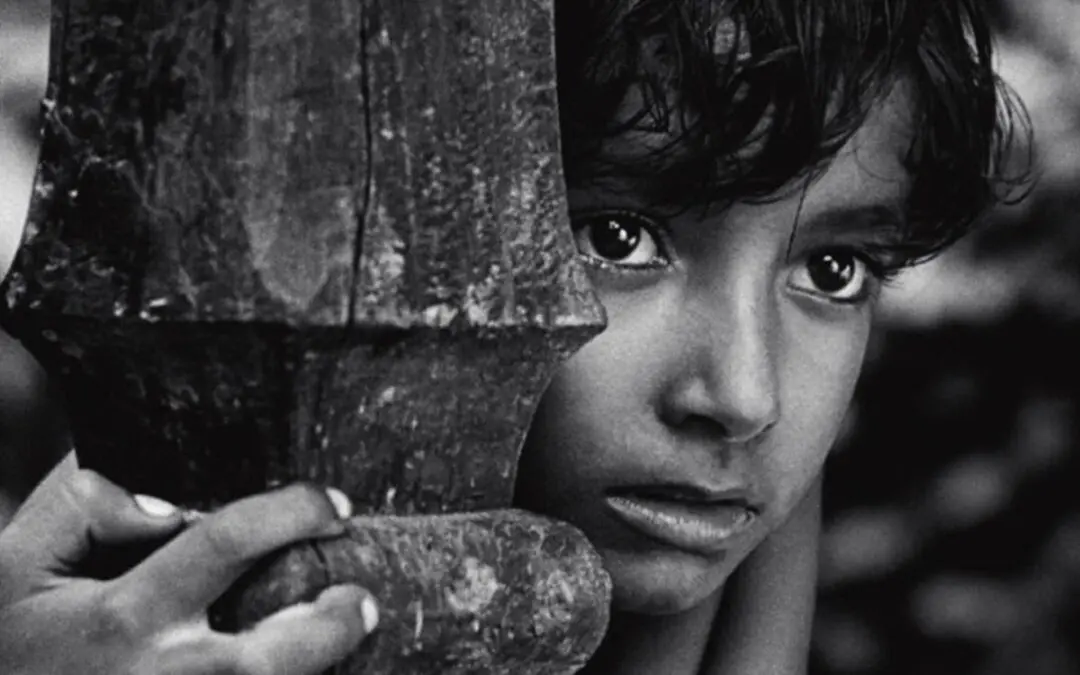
{"x":152,"y":619}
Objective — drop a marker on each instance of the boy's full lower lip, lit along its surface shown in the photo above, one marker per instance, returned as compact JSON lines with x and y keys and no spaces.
{"x":707,"y":529}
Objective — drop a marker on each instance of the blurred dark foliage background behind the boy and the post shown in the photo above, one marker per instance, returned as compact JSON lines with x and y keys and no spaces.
{"x":952,"y":539}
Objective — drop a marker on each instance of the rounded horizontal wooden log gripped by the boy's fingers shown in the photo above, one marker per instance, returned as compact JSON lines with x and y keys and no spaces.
{"x":501,"y":593}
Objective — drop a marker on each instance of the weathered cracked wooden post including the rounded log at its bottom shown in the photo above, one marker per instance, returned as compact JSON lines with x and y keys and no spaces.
{"x":327,"y":240}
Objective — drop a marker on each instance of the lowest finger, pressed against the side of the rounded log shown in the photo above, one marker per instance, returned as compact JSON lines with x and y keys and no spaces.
{"x":309,"y":638}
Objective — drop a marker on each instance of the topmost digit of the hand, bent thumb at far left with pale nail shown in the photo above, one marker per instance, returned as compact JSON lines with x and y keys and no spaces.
{"x":75,"y":510}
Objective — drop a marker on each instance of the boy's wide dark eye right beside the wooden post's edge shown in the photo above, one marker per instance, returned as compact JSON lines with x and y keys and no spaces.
{"x":620,"y":239}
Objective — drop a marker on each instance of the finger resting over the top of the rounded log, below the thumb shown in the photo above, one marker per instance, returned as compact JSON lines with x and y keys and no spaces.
{"x":183,"y":578}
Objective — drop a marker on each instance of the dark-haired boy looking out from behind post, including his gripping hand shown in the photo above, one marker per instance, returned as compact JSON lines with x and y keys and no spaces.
{"x":744,"y":177}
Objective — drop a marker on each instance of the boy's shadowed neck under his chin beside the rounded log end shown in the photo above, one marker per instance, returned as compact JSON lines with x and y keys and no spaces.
{"x":649,"y":645}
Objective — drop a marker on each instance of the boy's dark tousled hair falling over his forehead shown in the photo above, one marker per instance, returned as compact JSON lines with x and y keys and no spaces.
{"x":764,"y":93}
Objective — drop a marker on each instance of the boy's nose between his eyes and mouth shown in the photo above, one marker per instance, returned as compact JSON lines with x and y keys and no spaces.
{"x":726,"y":379}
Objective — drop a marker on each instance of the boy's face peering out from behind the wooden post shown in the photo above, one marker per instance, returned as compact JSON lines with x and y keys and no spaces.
{"x":687,"y":431}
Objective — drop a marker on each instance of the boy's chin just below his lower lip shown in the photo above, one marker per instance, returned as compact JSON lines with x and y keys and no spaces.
{"x":663,"y":583}
